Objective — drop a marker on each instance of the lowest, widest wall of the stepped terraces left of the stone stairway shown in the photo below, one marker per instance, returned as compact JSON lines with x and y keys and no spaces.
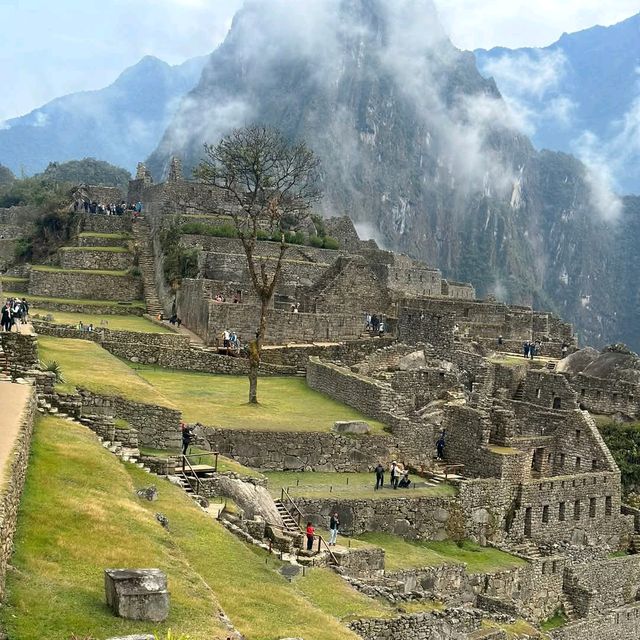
{"x":92,"y":286}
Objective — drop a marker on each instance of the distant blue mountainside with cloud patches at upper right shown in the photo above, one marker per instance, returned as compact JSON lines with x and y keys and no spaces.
{"x":580,"y":95}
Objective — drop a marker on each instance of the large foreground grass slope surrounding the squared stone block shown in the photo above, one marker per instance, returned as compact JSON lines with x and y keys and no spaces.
{"x":79,"y":517}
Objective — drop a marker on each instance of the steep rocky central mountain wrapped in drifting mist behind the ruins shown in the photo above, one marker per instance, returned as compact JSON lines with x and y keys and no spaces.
{"x":422,"y":152}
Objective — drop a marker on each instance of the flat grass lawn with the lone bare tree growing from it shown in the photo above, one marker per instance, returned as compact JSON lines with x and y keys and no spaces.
{"x":286,"y":404}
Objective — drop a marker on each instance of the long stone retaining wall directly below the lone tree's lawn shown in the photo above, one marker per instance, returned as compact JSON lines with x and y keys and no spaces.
{"x":301,"y":451}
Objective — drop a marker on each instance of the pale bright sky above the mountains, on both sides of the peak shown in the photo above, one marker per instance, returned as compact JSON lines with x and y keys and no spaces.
{"x":54,"y":47}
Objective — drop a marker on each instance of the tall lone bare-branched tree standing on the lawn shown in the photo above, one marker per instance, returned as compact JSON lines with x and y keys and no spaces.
{"x":273,"y":182}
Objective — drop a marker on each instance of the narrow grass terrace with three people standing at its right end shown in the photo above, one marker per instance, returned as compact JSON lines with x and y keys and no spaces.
{"x":346,"y":485}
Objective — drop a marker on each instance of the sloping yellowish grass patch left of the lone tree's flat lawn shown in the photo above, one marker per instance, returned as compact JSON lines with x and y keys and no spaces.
{"x":87,"y":365}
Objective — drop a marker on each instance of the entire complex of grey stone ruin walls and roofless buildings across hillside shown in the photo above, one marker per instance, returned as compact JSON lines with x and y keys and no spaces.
{"x":532,"y":474}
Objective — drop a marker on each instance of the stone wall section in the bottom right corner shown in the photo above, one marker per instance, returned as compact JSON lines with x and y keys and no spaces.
{"x":620,"y":624}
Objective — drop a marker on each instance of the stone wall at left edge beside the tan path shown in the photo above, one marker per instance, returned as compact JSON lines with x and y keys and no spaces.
{"x":12,"y":485}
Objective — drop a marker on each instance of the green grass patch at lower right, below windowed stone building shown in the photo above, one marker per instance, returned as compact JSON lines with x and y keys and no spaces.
{"x":403,"y":554}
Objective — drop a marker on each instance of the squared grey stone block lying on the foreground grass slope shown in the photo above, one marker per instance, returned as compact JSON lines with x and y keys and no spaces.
{"x":137,"y":594}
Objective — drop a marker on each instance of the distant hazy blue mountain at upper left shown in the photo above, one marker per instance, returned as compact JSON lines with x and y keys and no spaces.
{"x":121,"y":123}
